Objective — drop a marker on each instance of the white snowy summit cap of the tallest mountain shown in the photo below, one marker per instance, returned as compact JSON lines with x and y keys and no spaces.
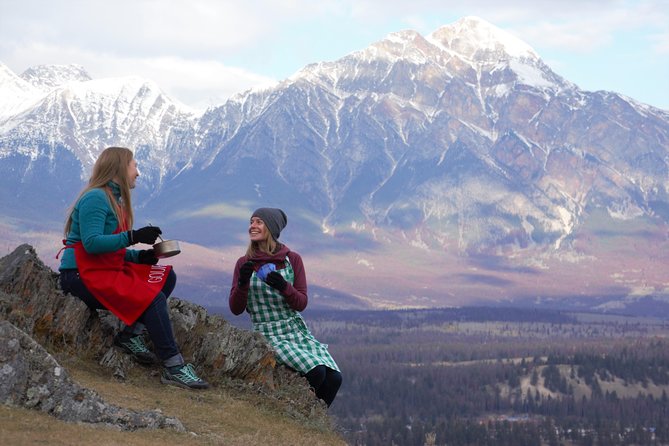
{"x":473,"y":37}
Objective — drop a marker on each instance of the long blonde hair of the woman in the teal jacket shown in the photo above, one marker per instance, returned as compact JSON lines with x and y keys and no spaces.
{"x":112,"y":164}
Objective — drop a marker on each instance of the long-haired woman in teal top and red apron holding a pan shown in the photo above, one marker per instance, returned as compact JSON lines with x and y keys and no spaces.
{"x":98,"y":268}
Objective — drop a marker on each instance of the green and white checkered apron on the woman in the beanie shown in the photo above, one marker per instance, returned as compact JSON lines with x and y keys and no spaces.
{"x":284,"y":328}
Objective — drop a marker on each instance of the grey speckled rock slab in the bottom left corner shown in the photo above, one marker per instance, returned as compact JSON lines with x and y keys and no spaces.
{"x":30,"y":377}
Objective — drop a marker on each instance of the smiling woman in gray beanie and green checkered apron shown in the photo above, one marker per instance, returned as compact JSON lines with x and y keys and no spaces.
{"x":269,"y":282}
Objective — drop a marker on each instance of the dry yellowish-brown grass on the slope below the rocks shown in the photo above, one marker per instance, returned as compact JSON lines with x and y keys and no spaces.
{"x":218,"y":416}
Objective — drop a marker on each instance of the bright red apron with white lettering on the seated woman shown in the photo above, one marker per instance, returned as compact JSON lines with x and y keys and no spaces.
{"x":124,"y":288}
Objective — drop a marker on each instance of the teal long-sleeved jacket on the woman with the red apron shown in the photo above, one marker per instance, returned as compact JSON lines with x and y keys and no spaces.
{"x":93,"y":224}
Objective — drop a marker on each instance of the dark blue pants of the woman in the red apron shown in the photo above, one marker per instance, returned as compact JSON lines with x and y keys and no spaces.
{"x":156,"y":317}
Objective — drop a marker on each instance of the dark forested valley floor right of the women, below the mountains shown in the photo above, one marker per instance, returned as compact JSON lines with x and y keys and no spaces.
{"x":498,"y":376}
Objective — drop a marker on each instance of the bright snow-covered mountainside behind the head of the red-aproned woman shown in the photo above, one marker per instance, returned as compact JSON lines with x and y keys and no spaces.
{"x":96,"y":113}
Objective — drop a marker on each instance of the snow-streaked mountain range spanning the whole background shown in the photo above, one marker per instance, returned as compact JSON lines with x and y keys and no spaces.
{"x":425,"y":171}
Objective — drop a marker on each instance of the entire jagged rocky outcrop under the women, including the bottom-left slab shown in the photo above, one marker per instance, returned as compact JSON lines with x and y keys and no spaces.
{"x":37,"y":317}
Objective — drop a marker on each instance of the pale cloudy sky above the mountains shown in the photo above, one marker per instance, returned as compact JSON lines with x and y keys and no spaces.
{"x":201,"y":52}
